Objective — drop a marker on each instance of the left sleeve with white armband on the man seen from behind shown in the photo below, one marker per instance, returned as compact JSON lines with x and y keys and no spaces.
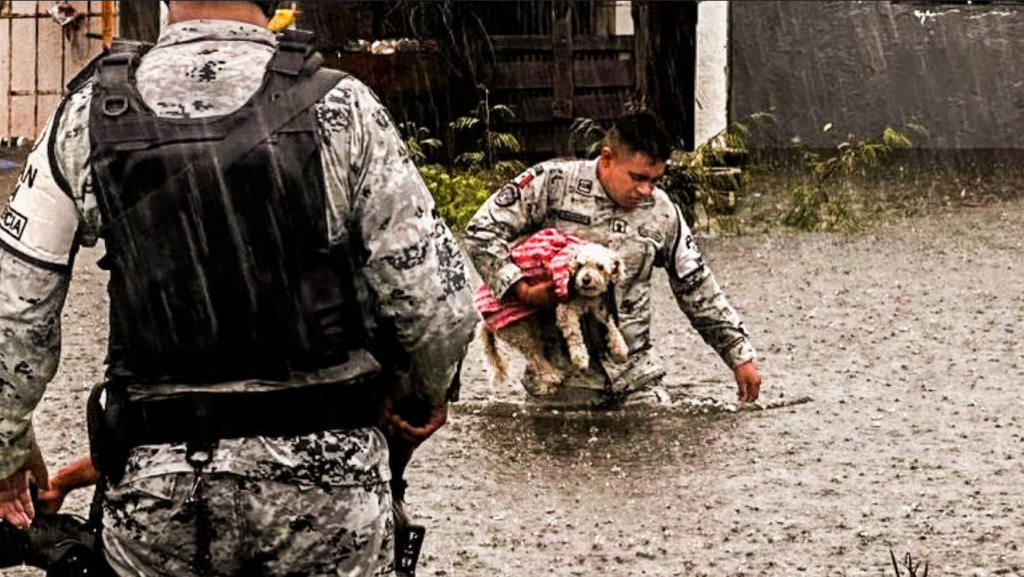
{"x":37,"y":244}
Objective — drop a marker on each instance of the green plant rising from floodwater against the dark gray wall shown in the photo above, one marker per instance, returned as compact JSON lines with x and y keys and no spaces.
{"x":827,"y":199}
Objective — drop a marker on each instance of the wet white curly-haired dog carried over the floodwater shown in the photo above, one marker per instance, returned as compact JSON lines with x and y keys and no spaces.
{"x":595,"y":269}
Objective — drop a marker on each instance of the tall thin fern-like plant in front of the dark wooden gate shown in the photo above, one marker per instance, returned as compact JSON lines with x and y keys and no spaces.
{"x":491,"y":144}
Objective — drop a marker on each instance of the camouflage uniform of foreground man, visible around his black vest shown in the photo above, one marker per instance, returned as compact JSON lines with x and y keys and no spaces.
{"x":316,"y":505}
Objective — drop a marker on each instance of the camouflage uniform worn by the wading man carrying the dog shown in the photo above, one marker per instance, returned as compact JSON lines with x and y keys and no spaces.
{"x":568,"y":196}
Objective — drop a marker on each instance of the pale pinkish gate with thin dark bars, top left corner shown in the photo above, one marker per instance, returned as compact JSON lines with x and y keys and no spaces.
{"x":37,"y":60}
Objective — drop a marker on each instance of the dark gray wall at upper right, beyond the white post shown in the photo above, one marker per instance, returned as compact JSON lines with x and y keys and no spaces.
{"x":958,"y":70}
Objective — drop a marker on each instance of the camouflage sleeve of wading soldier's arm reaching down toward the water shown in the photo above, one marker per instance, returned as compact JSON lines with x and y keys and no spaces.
{"x":702,"y":300}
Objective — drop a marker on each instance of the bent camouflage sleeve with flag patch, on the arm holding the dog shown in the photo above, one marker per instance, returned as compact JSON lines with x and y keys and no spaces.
{"x":509,"y":215}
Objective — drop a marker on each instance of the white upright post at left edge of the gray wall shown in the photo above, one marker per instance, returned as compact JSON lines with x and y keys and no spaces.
{"x":713,"y":70}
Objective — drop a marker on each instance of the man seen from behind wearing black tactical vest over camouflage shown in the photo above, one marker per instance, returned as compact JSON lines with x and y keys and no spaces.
{"x":276,"y":264}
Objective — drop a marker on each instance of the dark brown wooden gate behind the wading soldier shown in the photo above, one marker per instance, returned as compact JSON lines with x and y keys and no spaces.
{"x":552,"y":79}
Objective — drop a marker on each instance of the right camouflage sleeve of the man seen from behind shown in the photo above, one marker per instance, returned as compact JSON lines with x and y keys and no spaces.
{"x":410,"y":261}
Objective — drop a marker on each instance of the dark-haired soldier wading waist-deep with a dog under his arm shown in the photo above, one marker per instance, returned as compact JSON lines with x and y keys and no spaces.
{"x":614,"y":201}
